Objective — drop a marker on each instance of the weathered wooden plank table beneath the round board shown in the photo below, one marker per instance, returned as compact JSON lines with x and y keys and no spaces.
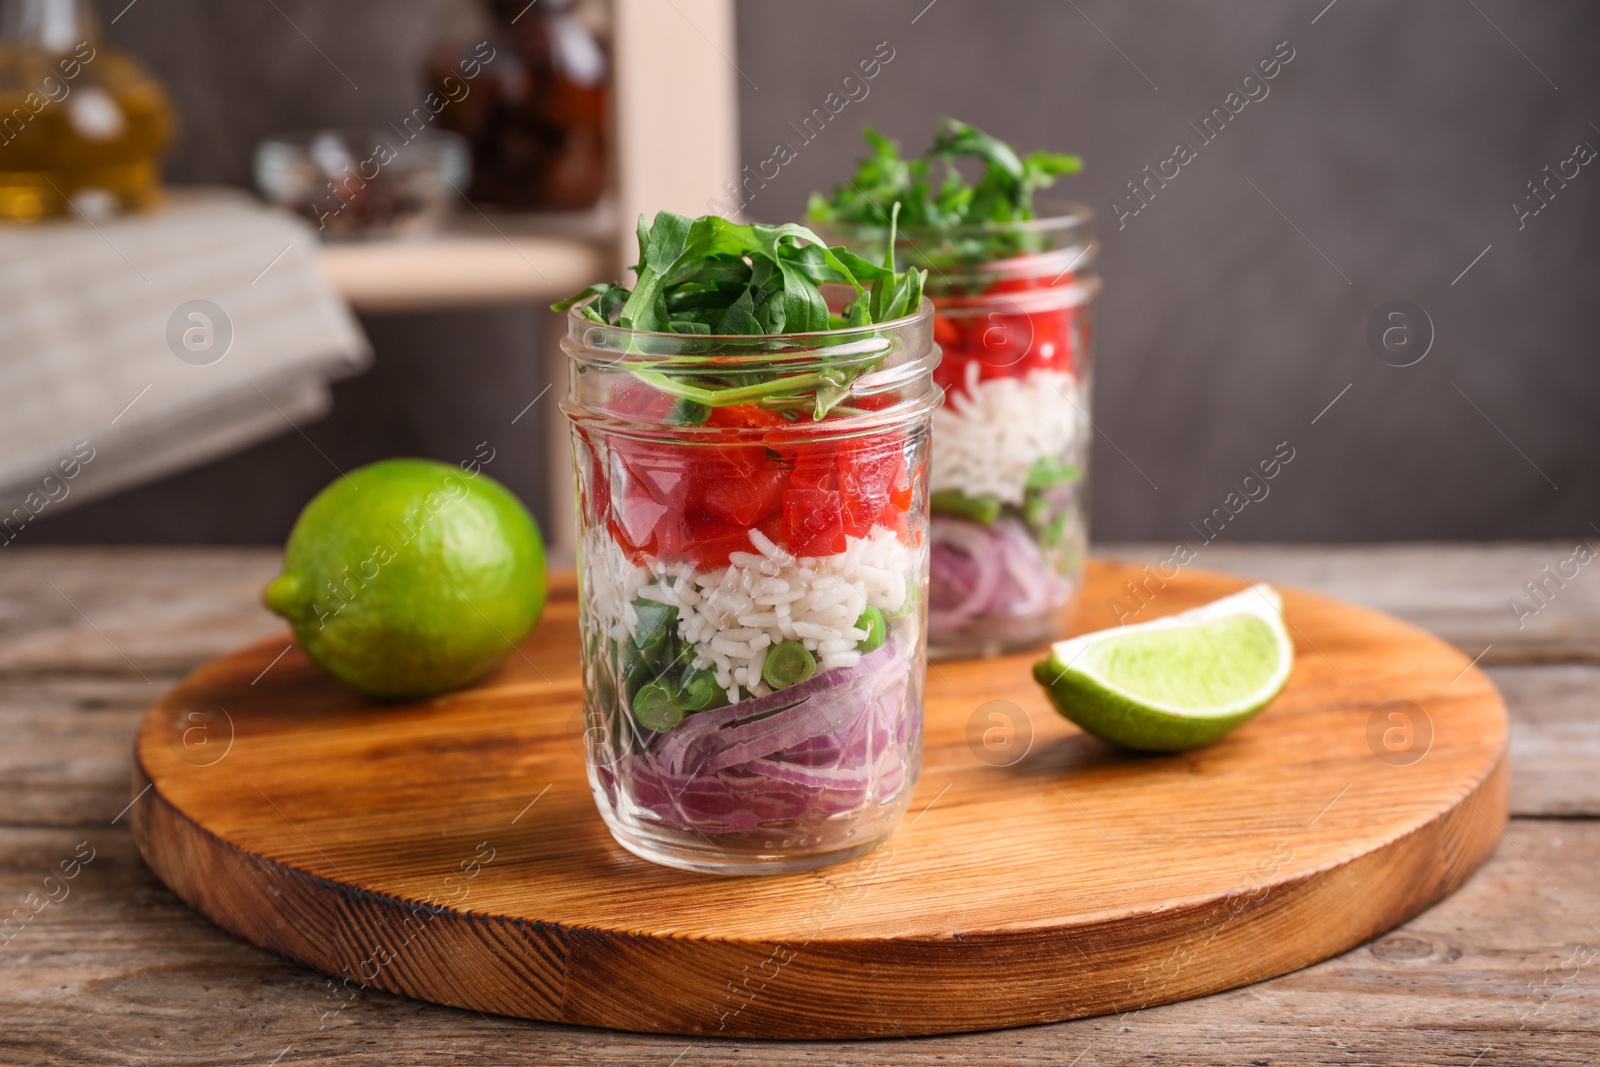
{"x":114,"y":970}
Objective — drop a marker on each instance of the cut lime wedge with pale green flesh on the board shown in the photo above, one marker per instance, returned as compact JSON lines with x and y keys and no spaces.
{"x":1178,"y":682}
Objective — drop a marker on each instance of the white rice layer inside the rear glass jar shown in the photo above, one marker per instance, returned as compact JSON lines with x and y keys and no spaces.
{"x":986,"y":438}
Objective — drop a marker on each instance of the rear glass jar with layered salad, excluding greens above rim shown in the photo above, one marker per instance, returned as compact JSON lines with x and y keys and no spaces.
{"x":1010,"y":446}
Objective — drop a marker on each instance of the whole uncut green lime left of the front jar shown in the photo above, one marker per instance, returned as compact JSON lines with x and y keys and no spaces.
{"x":409,"y":578}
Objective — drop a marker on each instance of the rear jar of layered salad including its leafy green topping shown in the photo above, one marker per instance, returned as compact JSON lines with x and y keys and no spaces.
{"x":1014,"y":292}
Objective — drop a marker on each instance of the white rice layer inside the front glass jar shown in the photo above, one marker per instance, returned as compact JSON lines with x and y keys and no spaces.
{"x":734,"y":615}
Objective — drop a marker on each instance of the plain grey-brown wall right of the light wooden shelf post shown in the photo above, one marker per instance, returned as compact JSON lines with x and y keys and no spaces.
{"x":1396,"y":142}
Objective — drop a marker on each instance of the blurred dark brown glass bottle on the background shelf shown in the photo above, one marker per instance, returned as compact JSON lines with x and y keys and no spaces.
{"x":537,"y":114}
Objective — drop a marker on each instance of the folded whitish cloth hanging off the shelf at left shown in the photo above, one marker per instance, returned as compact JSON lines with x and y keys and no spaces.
{"x":111,"y":375}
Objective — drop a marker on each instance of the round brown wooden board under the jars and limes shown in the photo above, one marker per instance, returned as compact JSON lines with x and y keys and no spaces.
{"x":452,"y":850}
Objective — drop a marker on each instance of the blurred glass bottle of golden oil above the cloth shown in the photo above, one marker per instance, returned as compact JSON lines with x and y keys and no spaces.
{"x":82,"y":126}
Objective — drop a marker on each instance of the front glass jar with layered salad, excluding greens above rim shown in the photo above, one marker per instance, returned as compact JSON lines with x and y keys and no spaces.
{"x":753,"y":588}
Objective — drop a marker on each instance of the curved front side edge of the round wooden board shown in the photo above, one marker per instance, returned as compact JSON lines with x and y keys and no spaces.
{"x":519,"y":969}
